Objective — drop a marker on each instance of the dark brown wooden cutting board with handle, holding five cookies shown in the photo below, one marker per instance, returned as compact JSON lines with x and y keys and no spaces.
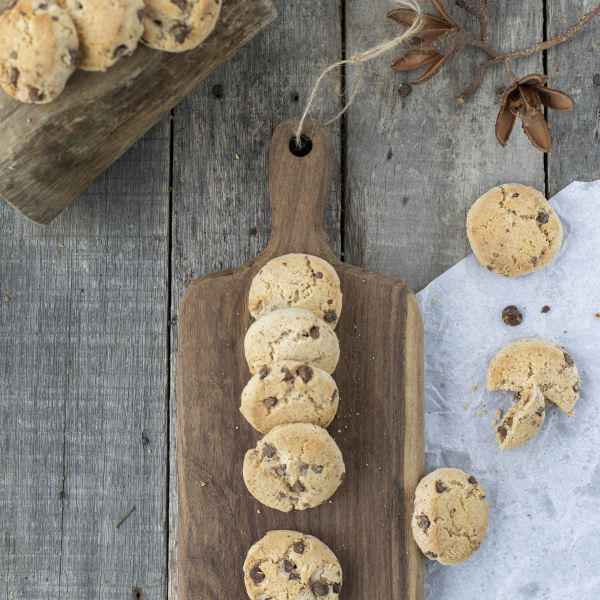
{"x":379,"y":426}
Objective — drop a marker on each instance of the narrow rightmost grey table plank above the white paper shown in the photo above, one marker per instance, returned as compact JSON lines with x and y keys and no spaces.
{"x":575,"y":154}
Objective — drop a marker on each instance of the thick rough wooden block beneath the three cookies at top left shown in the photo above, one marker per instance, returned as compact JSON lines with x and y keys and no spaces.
{"x":50,"y":153}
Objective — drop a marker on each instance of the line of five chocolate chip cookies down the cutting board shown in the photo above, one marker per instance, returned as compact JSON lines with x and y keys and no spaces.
{"x":291,"y":350}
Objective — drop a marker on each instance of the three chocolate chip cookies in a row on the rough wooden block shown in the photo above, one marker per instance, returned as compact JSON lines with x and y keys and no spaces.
{"x":42,"y":42}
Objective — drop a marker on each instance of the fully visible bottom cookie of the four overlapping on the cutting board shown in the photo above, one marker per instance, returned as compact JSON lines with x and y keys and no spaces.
{"x":294,"y":466}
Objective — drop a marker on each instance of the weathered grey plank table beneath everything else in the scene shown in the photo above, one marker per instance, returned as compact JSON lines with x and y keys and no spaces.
{"x":88,"y":306}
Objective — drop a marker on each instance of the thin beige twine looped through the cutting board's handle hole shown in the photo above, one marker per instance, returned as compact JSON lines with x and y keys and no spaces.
{"x":359,"y":59}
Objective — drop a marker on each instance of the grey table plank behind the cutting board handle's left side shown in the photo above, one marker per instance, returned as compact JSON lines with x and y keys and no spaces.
{"x":221,"y":214}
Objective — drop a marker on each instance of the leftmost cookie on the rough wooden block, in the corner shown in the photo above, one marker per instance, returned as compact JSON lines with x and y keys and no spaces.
{"x":39,"y":49}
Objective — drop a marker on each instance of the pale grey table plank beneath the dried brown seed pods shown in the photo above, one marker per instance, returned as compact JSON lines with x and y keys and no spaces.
{"x":415,"y":165}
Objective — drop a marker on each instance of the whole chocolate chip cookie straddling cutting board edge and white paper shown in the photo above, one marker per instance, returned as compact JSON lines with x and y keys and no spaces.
{"x":450,"y":516}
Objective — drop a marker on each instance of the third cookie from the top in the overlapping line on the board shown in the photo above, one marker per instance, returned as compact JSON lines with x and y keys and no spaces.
{"x":289,"y":392}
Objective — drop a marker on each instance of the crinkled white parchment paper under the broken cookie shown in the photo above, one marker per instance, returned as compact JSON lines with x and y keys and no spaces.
{"x":543,"y":539}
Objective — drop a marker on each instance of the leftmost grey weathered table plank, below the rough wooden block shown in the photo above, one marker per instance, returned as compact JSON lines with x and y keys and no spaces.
{"x":83,"y":395}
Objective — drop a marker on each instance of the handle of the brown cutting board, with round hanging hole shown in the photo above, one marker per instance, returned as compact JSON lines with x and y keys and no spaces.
{"x":300,"y":182}
